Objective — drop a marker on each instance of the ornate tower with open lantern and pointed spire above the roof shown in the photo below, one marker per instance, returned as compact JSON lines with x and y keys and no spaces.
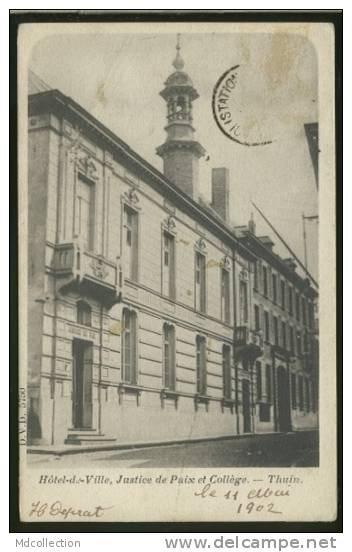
{"x":180,"y":151}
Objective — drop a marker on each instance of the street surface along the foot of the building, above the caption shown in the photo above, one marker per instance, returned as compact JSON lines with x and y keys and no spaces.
{"x":282,"y":450}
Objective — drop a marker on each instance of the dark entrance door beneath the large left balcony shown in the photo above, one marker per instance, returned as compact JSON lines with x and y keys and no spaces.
{"x":82,"y":384}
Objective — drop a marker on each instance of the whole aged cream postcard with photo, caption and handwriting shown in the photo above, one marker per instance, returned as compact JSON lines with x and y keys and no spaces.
{"x":177,"y":272}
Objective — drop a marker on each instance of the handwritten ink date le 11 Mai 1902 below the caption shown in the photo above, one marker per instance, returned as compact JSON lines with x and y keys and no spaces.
{"x":249,"y":507}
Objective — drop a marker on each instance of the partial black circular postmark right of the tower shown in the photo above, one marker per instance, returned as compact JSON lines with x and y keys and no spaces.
{"x":235,"y":119}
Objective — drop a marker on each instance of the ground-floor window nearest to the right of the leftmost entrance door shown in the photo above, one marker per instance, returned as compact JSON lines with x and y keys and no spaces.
{"x":129,"y":347}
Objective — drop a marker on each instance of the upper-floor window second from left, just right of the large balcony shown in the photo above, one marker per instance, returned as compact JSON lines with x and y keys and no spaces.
{"x":130,"y":243}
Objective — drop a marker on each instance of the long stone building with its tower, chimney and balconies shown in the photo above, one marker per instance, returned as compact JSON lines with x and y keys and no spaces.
{"x":142,"y":299}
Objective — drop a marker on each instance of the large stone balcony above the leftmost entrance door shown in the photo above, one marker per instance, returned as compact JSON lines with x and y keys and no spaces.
{"x":88,"y":272}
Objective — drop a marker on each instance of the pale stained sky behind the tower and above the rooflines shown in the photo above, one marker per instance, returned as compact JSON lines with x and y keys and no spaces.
{"x":117,"y":77}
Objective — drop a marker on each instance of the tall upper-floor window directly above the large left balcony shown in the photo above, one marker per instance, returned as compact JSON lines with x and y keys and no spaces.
{"x":84,"y":213}
